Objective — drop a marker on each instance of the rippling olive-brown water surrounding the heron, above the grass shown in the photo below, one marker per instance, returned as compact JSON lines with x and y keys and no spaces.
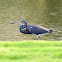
{"x":47,"y":13}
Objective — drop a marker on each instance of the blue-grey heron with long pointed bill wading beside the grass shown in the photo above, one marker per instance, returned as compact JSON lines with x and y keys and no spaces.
{"x":32,"y":29}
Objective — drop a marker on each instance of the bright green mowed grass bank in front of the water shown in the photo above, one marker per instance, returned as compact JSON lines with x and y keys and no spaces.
{"x":31,"y":51}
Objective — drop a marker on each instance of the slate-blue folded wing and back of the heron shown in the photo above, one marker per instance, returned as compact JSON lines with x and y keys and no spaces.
{"x":35,"y":29}
